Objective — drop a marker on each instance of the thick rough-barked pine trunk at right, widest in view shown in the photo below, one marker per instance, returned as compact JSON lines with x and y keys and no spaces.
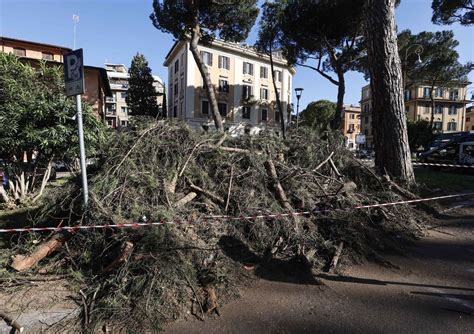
{"x":392,"y":151}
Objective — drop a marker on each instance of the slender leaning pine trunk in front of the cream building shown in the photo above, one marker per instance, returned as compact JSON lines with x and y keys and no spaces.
{"x":206,"y":78}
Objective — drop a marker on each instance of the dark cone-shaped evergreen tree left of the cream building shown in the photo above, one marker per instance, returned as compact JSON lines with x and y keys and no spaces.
{"x":141,"y":97}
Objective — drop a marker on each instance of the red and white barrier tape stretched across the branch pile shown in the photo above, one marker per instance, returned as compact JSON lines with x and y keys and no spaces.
{"x":211,"y":219}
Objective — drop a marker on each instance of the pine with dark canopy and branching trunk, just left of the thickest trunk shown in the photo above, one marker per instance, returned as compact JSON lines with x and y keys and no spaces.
{"x":325,"y":32}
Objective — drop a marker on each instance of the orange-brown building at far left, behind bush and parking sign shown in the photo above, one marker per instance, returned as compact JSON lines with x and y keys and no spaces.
{"x":96,"y":81}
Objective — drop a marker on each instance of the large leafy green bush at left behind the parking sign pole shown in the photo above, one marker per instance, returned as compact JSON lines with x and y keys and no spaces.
{"x":36,"y":116}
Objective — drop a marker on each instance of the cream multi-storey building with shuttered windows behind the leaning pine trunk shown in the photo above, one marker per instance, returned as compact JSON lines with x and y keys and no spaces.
{"x":242,"y":81}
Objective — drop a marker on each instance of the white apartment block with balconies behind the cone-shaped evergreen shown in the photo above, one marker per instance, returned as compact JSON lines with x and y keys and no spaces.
{"x":116,"y":109}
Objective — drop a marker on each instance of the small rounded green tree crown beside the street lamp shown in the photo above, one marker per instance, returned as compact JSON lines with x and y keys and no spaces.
{"x":318,"y":114}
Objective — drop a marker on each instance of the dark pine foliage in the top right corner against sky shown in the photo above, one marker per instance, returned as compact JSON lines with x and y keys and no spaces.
{"x":450,"y":11}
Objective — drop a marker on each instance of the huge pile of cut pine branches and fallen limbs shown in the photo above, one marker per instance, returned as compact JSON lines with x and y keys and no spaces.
{"x":139,"y":278}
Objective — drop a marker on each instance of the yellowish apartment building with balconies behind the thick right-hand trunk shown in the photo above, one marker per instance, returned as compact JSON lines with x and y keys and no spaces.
{"x":449,"y":112}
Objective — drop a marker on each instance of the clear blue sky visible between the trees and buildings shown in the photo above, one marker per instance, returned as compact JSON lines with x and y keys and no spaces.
{"x":114,"y":31}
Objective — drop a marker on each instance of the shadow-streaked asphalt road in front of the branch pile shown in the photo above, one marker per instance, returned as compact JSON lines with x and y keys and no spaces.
{"x":431,"y":291}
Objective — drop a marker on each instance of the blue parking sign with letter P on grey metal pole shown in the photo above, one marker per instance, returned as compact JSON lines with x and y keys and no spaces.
{"x":74,"y":79}
